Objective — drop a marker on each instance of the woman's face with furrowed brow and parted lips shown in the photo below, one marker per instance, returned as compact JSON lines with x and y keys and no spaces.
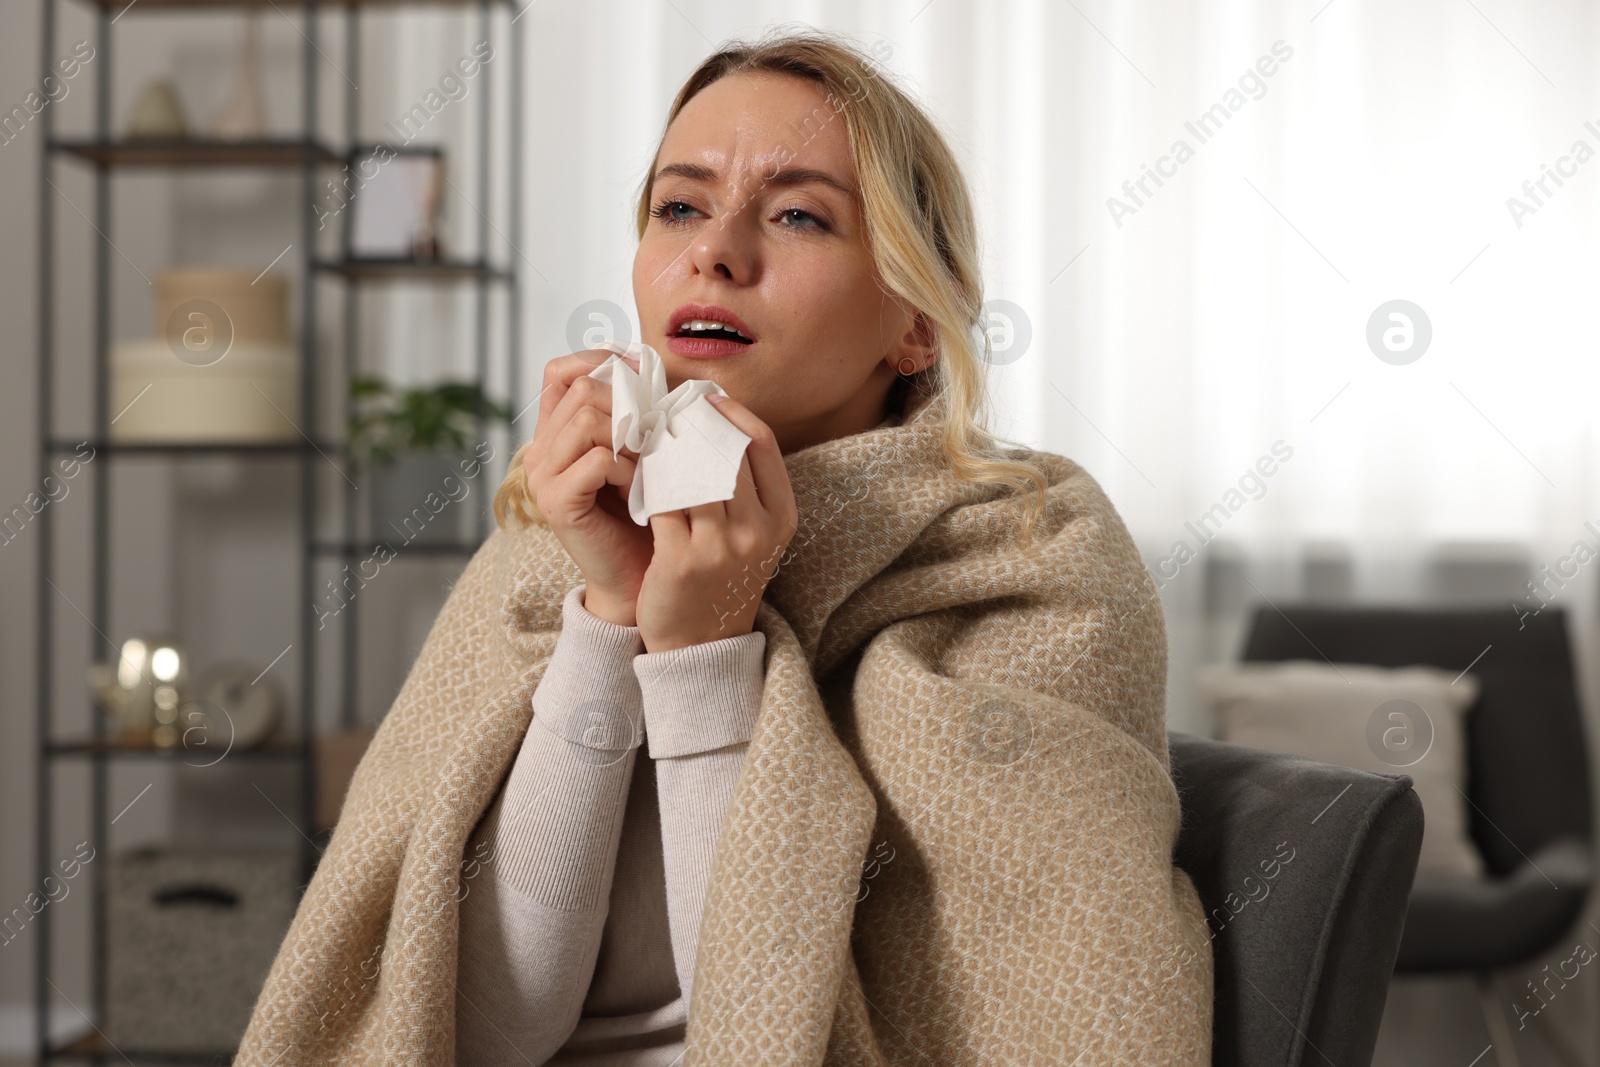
{"x":756,"y":214}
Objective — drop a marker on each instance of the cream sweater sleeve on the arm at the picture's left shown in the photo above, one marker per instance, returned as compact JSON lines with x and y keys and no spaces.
{"x":530,"y":927}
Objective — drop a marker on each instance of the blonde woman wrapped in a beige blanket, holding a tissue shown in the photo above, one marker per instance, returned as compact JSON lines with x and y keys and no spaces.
{"x":905,"y":793}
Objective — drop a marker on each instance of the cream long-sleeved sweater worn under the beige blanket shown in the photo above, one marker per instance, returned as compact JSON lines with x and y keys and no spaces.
{"x":585,"y":881}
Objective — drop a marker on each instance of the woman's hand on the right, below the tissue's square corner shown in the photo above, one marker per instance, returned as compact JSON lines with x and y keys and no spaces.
{"x":713,"y":562}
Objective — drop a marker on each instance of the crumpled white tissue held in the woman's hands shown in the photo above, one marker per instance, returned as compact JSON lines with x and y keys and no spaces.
{"x":689,"y":452}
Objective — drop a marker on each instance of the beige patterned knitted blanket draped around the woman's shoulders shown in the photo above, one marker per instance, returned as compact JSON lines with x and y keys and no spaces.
{"x":951,"y":841}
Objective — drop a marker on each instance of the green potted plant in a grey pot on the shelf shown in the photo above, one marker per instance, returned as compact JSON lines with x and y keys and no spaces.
{"x":415,"y":449}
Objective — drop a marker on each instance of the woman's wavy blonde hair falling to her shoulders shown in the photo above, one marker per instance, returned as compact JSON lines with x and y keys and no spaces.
{"x":921,"y":233}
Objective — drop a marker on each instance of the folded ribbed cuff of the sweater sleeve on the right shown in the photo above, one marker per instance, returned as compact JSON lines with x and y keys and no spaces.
{"x":702,"y":697}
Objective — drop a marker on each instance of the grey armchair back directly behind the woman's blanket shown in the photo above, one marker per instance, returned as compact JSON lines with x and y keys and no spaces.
{"x":1305,"y":871}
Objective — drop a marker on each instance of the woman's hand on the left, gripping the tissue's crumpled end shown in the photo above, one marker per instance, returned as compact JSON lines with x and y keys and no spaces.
{"x":572,"y":474}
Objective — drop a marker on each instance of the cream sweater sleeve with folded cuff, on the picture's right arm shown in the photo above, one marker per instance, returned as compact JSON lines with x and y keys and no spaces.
{"x":700,"y":706}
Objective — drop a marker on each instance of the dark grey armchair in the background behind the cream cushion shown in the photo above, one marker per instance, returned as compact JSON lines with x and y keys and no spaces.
{"x":1527,"y":783}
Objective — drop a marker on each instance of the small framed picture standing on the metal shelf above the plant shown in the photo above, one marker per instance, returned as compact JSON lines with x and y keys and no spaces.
{"x":394,"y":199}
